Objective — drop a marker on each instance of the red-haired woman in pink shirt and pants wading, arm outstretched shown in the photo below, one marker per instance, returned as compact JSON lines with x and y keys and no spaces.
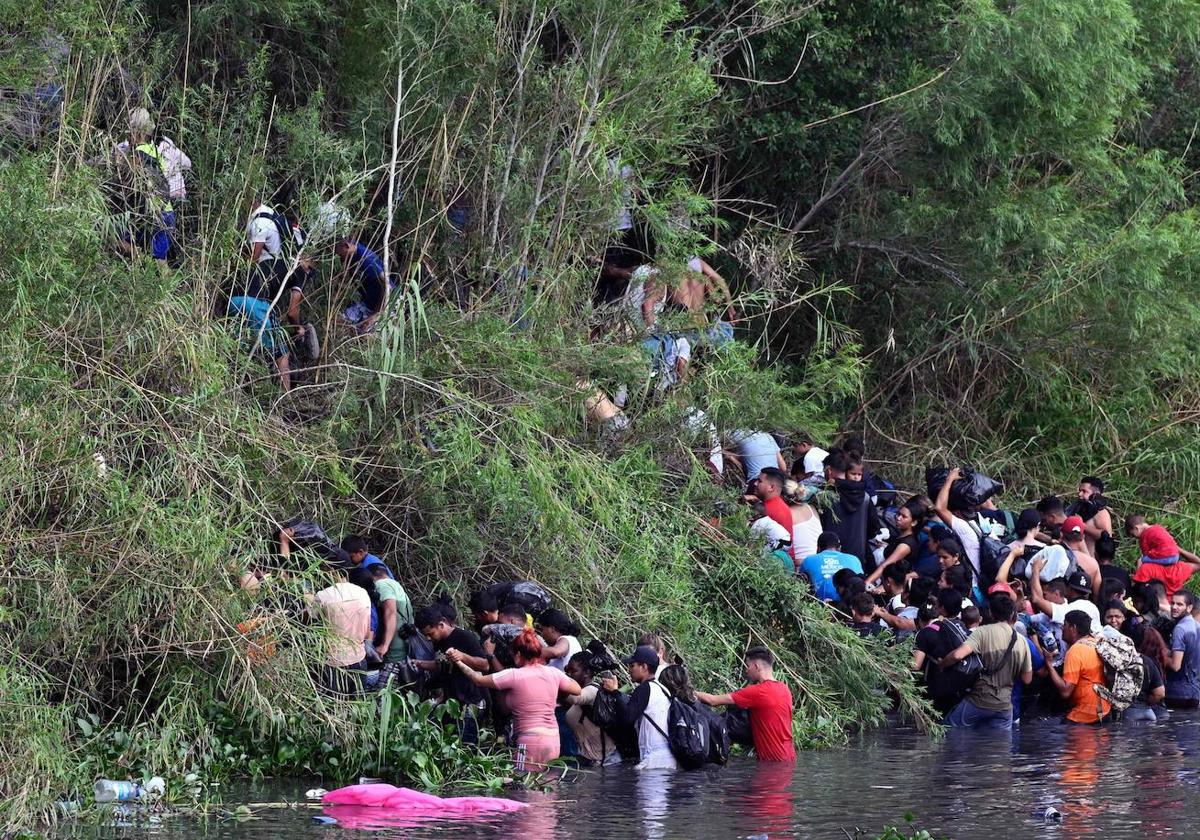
{"x":532,"y":693}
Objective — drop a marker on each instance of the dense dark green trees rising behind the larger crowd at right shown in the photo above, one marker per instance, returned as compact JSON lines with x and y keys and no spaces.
{"x":1015,"y":214}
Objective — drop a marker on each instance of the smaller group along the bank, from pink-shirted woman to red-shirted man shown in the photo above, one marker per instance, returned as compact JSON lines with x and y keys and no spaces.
{"x":520,"y":667}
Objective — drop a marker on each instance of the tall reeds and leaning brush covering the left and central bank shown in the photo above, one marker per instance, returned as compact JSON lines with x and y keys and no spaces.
{"x":148,"y":460}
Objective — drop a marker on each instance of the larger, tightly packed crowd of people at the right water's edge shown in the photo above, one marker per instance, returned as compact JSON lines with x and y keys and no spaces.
{"x":1011,"y":614}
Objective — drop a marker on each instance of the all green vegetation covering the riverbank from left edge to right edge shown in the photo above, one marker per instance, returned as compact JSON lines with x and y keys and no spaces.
{"x":965,"y":227}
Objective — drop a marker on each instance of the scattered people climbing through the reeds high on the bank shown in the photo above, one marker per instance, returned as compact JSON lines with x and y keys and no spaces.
{"x":267,"y":296}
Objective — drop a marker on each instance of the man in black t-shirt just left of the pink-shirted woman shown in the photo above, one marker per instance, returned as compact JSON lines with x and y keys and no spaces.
{"x":454,"y":645}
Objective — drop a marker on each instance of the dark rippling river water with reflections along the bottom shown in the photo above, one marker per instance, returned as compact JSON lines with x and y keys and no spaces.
{"x":1124,"y":782}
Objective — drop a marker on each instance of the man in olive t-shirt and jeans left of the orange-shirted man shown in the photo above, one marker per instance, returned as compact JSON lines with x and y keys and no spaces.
{"x":1005,"y":658}
